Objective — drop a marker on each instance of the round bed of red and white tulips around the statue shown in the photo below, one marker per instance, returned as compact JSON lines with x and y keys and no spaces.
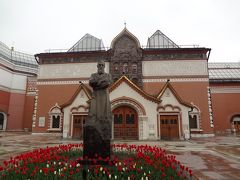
{"x":62,"y":162}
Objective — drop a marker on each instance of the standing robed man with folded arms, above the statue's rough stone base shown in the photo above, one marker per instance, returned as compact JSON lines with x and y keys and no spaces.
{"x":100,"y":115}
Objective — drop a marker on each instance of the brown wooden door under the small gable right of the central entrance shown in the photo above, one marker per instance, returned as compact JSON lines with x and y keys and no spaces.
{"x":169,"y":127}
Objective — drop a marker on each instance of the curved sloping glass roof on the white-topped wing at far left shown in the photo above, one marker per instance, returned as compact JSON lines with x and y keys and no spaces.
{"x":17,"y":58}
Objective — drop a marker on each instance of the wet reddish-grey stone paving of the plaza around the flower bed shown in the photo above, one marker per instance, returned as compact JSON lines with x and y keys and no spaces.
{"x":209,"y":158}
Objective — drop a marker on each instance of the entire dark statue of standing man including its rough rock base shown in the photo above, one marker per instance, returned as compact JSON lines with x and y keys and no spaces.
{"x":98,"y":125}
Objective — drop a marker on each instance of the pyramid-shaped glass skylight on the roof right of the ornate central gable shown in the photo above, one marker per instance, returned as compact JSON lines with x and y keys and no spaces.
{"x":160,"y":40}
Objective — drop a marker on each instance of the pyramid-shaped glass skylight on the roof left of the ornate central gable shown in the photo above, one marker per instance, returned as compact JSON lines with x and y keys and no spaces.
{"x":88,"y":43}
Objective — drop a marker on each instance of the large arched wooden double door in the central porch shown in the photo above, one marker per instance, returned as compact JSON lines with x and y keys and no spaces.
{"x":125,"y":123}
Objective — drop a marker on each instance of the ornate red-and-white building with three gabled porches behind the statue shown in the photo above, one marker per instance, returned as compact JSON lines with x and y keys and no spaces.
{"x":161,"y":91}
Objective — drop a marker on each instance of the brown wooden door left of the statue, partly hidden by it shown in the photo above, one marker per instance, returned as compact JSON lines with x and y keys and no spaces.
{"x":78,"y":122}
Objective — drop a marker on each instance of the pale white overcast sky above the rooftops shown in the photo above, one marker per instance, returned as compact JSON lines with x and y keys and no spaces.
{"x":33,"y":26}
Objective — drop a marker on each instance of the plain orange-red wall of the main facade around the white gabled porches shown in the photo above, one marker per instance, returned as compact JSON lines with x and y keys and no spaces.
{"x":195,"y":92}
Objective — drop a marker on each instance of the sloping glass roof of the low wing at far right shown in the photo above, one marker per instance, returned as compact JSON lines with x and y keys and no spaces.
{"x":224,"y":71}
